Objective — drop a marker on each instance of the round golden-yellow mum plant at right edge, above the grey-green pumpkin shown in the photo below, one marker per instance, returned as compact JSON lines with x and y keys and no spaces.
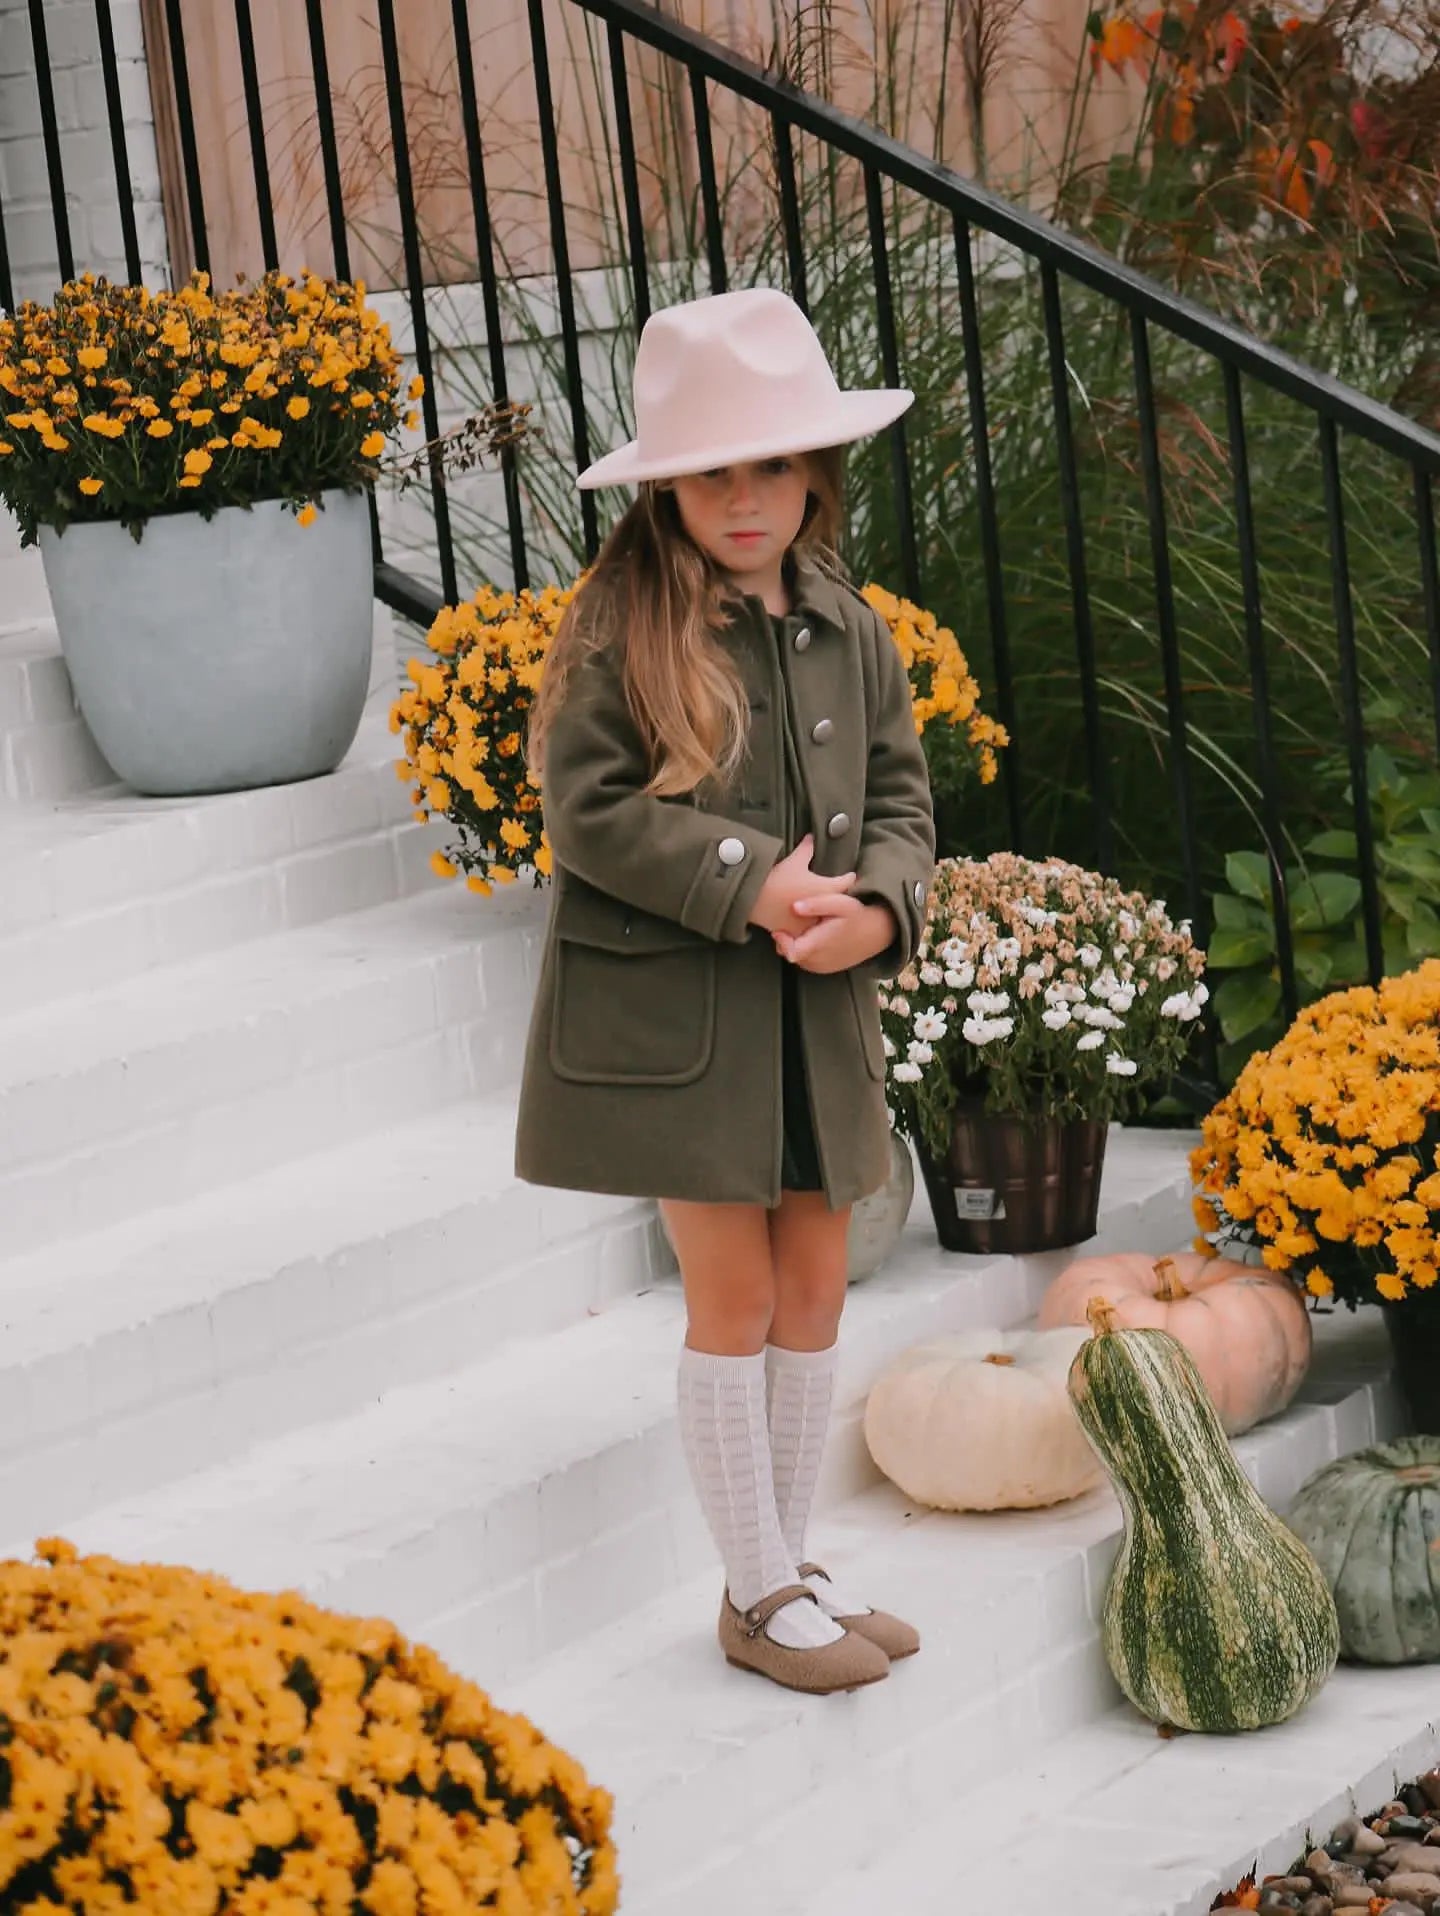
{"x":1328,"y":1151}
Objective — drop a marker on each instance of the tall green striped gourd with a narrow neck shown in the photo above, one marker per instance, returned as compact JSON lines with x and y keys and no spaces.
{"x":1217,"y":1618}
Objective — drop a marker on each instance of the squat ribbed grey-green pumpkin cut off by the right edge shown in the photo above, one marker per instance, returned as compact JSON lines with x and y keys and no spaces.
{"x":1374,"y":1526}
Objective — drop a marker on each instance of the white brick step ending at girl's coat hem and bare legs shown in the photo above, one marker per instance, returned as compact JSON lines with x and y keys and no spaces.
{"x":304,"y":1294}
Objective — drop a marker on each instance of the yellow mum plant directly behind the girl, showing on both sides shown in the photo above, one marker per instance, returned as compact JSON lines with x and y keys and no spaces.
{"x":464,"y":714}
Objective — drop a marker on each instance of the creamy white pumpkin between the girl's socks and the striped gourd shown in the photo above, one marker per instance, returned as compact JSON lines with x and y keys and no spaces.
{"x":983,"y":1421}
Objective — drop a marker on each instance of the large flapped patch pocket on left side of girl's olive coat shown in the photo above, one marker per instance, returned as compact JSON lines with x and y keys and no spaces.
{"x":635,"y":997}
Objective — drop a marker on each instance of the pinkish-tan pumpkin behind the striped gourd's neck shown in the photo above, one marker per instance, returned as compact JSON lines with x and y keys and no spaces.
{"x":1248,"y":1329}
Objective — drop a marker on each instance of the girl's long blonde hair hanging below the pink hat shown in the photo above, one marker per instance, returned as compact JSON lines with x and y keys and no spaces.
{"x":664,"y":603}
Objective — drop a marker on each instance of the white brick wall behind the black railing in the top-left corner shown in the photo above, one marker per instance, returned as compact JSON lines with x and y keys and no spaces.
{"x":87,"y":158}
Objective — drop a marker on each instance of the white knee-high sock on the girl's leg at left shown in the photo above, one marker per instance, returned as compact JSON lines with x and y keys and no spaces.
{"x":723,"y":1426}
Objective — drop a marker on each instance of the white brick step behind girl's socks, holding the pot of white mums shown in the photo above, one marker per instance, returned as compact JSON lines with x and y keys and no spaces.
{"x":541,"y":1494}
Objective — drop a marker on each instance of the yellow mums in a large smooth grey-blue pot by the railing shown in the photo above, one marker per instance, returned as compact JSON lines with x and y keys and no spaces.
{"x":194,"y":468}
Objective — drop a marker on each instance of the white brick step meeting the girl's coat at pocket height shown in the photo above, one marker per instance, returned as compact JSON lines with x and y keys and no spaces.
{"x":210,"y":1072}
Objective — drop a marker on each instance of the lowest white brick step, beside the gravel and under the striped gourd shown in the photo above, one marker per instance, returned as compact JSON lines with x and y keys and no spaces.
{"x":1135,"y":1825}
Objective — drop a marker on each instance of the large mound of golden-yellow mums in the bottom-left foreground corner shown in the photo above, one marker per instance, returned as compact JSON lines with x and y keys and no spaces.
{"x":173,"y":1745}
